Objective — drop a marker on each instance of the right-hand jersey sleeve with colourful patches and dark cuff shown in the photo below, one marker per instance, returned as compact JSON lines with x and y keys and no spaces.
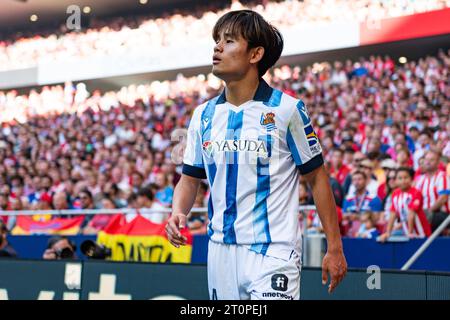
{"x":302,"y":140}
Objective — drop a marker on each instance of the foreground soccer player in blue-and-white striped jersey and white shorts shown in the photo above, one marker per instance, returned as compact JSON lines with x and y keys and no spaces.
{"x":251,"y":143}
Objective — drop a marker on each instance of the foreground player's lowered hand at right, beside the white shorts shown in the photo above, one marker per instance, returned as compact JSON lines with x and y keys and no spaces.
{"x":335,"y":264}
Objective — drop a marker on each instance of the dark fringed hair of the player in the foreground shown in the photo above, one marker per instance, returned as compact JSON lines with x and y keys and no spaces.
{"x":253,"y":28}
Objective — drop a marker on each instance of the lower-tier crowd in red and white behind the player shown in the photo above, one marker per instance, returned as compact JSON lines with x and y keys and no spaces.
{"x":384,"y":129}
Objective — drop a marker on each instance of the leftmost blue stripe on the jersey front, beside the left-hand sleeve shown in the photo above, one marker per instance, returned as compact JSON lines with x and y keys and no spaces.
{"x":205,"y":125}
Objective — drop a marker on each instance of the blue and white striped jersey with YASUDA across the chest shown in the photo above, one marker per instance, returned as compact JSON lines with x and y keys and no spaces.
{"x":252,"y":156}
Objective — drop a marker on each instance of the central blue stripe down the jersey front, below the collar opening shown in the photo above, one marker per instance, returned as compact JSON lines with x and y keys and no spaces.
{"x":230,"y":214}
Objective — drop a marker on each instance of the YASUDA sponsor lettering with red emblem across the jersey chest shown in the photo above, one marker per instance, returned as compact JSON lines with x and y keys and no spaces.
{"x":241,"y":145}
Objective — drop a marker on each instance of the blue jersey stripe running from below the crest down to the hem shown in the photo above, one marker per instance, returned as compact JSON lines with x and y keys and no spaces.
{"x":260,"y":215}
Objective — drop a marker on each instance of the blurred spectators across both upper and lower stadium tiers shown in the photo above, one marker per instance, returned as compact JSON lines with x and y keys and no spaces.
{"x":68,"y":147}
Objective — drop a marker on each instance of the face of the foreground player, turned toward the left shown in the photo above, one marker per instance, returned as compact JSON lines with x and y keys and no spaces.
{"x":231,"y":59}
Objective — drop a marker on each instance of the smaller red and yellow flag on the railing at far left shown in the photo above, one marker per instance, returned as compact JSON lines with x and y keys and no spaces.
{"x":26,"y":225}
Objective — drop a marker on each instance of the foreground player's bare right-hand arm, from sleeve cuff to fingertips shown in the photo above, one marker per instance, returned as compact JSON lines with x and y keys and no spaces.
{"x":334,"y":261}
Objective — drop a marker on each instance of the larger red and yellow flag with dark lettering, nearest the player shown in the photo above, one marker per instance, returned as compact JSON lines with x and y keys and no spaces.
{"x":142,"y":240}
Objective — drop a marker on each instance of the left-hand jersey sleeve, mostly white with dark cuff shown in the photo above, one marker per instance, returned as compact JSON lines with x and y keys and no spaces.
{"x":193,"y":158}
